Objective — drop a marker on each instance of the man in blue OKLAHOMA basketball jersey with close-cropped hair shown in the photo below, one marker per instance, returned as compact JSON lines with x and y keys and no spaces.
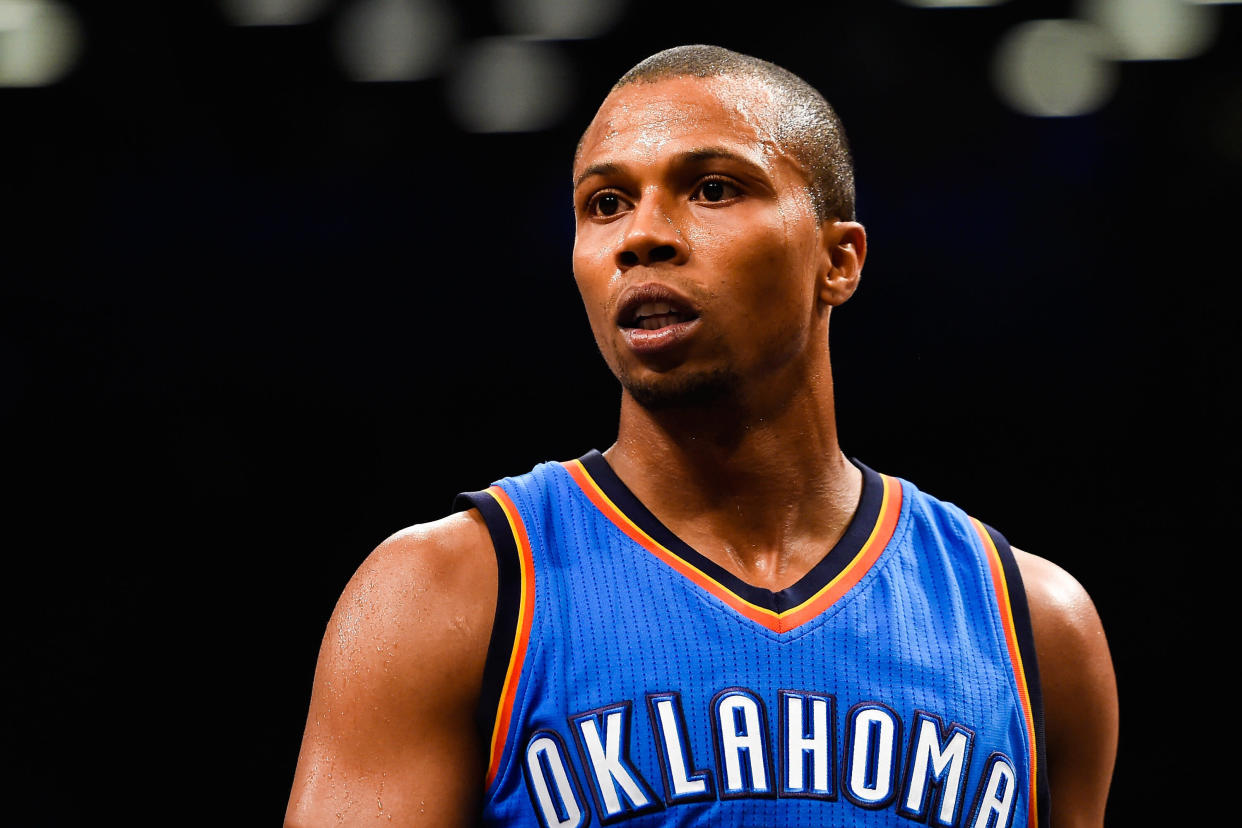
{"x":720,"y":620}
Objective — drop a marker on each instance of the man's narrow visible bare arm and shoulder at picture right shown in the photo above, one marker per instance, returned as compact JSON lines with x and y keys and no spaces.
{"x":1080,"y":693}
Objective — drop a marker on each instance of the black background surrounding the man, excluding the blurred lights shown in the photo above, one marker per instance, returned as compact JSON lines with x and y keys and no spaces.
{"x":256,"y":317}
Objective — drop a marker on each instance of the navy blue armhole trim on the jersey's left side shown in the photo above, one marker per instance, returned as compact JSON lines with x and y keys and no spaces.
{"x":509,"y":604}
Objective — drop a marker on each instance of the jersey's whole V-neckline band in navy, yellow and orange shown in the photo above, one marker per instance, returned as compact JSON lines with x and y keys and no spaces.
{"x":841,"y":568}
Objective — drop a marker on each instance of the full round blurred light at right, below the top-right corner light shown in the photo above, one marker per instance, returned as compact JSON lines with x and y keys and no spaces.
{"x":1055,"y":69}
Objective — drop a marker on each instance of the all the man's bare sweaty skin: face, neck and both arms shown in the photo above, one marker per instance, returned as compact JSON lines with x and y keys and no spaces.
{"x":691,"y":213}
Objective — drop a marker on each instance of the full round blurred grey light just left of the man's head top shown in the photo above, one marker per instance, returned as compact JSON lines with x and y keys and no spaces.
{"x":505,"y":85}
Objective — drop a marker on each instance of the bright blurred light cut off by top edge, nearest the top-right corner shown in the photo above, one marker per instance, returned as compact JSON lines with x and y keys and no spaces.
{"x":1153,"y":30}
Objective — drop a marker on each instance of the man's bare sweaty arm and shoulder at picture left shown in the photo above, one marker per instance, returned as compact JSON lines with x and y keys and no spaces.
{"x":391,"y":738}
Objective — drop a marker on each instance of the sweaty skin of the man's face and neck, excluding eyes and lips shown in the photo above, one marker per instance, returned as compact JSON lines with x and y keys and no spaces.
{"x":756,"y":481}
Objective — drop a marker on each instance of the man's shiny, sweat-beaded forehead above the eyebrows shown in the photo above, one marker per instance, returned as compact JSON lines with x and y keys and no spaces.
{"x":645,"y":122}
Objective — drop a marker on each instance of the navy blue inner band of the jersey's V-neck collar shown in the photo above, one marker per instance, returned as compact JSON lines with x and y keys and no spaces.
{"x":830,"y":567}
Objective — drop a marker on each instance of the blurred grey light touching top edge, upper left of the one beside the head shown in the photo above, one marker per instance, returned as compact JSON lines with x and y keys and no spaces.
{"x":394,"y":40}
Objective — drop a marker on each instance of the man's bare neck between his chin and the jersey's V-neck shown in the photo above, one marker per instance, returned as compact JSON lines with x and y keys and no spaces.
{"x":762,"y":488}
